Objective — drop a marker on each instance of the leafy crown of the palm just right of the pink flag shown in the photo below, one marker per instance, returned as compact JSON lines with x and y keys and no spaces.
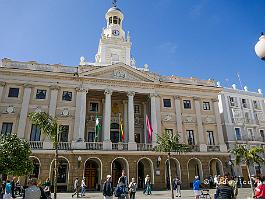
{"x":168,"y":142}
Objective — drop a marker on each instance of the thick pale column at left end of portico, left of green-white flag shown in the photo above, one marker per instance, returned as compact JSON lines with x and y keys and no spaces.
{"x":80,"y":117}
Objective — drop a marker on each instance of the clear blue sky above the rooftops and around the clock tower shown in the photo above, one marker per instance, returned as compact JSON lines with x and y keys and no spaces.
{"x":188,"y":38}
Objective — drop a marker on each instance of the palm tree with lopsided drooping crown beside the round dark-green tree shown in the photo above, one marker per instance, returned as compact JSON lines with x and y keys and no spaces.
{"x":49,"y":127}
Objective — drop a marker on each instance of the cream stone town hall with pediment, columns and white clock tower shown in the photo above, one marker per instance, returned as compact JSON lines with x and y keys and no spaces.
{"x":113,"y":89}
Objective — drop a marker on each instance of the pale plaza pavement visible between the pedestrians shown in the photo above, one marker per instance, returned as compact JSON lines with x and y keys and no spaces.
{"x":243,"y":194}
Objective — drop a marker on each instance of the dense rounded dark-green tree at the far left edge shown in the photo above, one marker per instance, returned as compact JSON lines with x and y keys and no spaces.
{"x":14,"y":156}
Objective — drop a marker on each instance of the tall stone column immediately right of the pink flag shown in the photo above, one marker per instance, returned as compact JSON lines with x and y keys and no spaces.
{"x":154,"y":117}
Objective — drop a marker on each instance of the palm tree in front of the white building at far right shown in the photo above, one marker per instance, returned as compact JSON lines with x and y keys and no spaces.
{"x":248,"y":156}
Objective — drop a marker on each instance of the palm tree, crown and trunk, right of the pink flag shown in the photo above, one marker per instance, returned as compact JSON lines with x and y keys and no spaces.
{"x":169,"y":142}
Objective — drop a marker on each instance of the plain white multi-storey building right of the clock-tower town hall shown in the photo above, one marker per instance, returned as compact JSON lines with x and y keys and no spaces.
{"x":243,"y":121}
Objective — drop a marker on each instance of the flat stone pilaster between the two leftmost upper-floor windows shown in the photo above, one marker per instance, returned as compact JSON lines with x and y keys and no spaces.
{"x":24,"y":111}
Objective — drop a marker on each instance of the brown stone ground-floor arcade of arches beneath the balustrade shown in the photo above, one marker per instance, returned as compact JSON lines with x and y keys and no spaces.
{"x":95,"y":166}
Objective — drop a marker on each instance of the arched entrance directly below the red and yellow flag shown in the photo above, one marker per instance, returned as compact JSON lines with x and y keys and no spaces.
{"x":117,"y":166}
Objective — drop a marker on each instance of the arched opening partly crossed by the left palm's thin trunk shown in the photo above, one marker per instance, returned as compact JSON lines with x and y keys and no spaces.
{"x":63,"y":174}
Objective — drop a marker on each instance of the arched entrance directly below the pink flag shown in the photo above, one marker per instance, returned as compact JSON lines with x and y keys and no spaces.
{"x":144,"y":167}
